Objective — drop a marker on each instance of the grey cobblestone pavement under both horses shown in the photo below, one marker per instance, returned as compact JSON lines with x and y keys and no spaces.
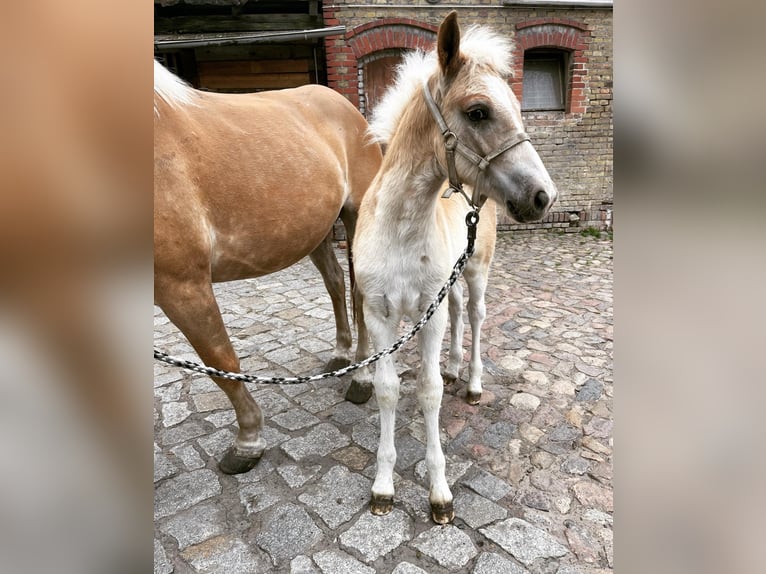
{"x":530,"y":467}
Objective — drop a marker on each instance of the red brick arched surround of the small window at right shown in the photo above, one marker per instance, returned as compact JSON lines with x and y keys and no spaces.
{"x":561,"y":33}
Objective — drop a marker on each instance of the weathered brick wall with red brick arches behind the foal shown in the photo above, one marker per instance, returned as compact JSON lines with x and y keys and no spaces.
{"x":575,"y":145}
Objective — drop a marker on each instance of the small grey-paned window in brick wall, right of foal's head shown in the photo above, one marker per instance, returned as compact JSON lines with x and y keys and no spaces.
{"x":545,"y":79}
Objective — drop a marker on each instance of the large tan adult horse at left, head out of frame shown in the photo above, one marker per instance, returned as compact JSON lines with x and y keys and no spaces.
{"x":246,"y":185}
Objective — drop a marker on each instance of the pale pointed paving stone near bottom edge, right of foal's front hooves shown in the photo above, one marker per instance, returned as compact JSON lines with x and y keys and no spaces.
{"x":523,"y":541}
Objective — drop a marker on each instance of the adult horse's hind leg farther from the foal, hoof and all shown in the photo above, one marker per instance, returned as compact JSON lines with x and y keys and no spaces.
{"x":324,"y":259}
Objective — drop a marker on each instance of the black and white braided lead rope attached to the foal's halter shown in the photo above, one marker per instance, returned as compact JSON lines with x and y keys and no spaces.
{"x":471,"y":220}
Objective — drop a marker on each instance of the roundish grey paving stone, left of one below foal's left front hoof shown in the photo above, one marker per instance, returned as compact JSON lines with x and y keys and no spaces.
{"x":288,"y":532}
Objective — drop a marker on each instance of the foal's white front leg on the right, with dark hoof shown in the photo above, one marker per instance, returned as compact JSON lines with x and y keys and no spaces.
{"x":429,"y":390}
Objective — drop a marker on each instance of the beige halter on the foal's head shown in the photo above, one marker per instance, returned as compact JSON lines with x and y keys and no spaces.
{"x":452,"y":143}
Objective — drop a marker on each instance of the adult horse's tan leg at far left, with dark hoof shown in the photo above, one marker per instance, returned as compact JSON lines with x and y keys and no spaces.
{"x":193,"y":309}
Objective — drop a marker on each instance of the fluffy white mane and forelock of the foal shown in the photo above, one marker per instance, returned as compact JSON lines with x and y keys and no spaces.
{"x":480,"y":47}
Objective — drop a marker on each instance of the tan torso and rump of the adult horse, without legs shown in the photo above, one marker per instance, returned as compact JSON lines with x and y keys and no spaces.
{"x":255,"y":181}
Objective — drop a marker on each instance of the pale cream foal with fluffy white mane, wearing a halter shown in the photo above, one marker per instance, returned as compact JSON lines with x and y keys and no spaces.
{"x":408,"y":238}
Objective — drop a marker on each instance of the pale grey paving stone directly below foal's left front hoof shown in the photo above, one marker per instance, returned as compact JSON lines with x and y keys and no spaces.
{"x":374,"y":536}
